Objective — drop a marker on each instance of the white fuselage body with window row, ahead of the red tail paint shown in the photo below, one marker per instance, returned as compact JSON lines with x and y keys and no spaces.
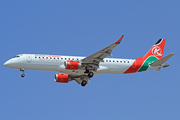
{"x":56,"y":63}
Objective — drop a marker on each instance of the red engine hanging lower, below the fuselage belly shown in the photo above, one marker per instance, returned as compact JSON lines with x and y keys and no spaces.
{"x":62,"y":78}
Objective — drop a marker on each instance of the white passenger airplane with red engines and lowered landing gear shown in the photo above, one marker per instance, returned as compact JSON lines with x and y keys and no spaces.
{"x":82,"y":69}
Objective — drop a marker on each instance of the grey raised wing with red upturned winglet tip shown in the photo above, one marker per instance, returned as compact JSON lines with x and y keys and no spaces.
{"x":94,"y":59}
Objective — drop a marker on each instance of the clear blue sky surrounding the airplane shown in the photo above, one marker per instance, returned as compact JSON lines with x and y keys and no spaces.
{"x":82,"y":28}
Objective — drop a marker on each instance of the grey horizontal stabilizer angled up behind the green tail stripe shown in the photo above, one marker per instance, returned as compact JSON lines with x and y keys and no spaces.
{"x":162,"y":60}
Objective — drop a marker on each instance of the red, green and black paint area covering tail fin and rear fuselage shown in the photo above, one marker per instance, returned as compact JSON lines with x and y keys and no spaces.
{"x":154,"y":54}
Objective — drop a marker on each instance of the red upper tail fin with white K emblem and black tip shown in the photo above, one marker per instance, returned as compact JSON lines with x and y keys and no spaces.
{"x":156,"y":50}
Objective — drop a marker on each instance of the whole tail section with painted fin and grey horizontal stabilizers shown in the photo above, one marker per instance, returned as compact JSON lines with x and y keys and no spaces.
{"x":152,"y":58}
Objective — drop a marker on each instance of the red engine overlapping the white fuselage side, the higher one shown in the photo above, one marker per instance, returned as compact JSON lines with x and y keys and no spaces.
{"x":72,"y":65}
